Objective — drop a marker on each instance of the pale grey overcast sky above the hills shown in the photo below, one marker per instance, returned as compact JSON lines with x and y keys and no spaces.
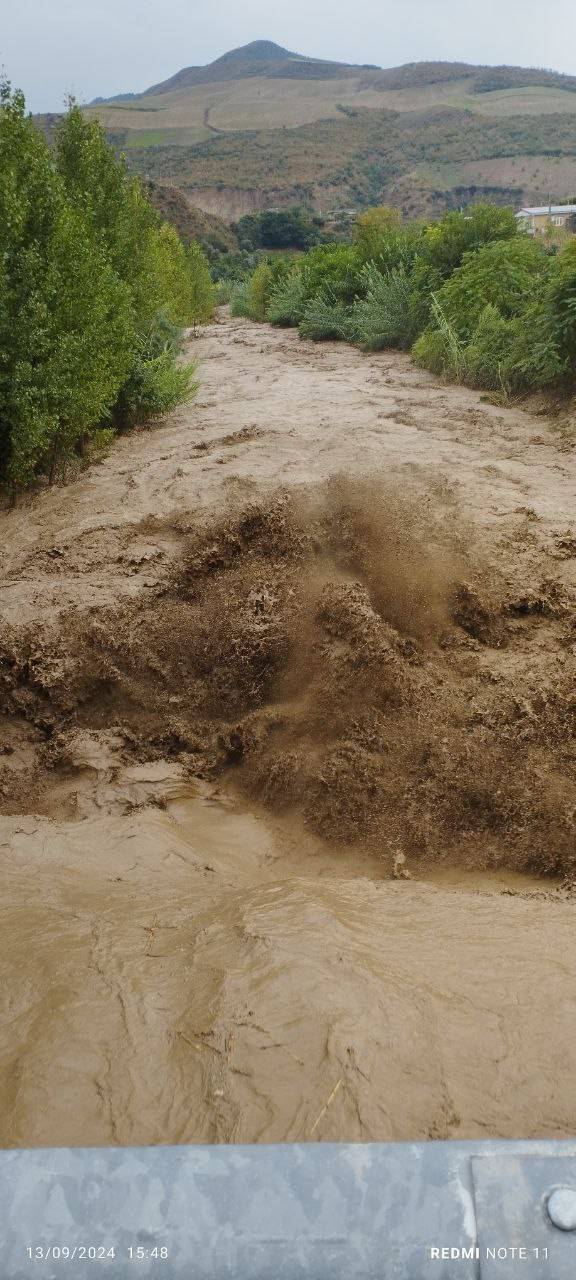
{"x":51,"y":48}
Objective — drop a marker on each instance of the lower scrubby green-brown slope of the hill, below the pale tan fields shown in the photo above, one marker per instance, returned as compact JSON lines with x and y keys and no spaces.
{"x":418,"y":161}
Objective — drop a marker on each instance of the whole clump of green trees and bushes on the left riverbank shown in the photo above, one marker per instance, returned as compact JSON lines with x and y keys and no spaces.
{"x":94,"y":294}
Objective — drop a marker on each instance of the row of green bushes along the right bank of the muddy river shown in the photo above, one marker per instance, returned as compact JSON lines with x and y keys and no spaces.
{"x":472,"y":296}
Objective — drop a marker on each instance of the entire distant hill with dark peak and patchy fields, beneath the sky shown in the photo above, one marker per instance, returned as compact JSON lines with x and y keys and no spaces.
{"x":263,"y":126}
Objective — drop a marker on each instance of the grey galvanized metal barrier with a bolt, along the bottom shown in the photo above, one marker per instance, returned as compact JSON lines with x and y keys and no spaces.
{"x":431,"y":1212}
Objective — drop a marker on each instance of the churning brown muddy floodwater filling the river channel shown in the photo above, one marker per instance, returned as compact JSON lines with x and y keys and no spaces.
{"x":289,"y":769}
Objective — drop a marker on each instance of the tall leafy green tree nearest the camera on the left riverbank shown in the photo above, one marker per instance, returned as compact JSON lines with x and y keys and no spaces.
{"x":66,"y":319}
